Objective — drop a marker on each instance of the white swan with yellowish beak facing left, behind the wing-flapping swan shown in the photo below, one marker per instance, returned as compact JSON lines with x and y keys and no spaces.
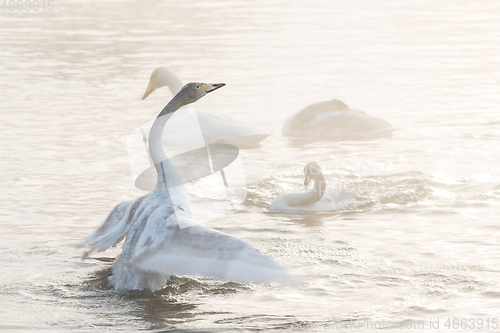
{"x":216,"y":128}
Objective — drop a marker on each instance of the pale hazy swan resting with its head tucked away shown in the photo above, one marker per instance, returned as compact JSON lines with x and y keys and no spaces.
{"x":333,"y":120}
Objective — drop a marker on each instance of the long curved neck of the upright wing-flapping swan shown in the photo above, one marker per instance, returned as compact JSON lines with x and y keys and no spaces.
{"x":168,"y":176}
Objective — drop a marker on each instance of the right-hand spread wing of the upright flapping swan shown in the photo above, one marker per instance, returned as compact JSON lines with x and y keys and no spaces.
{"x":197,"y":250}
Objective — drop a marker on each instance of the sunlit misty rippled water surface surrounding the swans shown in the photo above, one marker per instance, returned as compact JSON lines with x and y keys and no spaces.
{"x":421,"y":240}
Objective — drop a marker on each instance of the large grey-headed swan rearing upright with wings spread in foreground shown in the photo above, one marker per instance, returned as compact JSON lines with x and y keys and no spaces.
{"x":161,"y":238}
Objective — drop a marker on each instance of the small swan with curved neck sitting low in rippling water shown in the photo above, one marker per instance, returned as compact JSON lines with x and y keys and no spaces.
{"x":319,"y":198}
